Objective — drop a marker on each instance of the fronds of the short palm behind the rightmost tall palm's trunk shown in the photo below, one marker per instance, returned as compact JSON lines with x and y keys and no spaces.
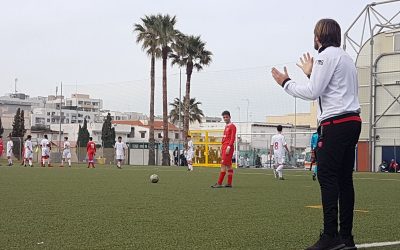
{"x":195,"y":113}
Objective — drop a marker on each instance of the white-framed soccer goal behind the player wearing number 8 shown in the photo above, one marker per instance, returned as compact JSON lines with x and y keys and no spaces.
{"x":253,"y":149}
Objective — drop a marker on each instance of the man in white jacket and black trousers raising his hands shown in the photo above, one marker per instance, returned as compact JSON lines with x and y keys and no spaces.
{"x":333,"y":82}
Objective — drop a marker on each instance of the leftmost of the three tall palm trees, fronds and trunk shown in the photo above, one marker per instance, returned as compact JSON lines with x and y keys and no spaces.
{"x":148,"y":37}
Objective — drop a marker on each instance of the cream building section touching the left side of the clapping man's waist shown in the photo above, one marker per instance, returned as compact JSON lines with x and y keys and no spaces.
{"x":302,"y":119}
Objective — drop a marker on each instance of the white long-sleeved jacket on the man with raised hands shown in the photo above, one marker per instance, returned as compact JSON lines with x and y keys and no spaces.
{"x":333,"y":82}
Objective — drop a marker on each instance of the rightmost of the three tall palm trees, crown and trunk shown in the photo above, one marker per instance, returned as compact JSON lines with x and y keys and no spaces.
{"x":190,"y":52}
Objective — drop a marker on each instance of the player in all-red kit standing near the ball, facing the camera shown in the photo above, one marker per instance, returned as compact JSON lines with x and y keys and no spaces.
{"x":228,"y":141}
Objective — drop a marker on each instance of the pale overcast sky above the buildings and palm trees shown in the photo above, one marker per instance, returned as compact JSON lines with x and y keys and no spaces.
{"x":90,"y":47}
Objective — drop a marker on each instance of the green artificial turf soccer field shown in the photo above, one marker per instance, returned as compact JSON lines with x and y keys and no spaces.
{"x":108,"y":208}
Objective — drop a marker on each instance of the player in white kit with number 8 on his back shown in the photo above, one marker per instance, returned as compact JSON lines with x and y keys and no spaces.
{"x":278,"y":146}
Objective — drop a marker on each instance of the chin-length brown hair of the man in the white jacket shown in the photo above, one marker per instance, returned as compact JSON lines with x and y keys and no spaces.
{"x":328,"y":32}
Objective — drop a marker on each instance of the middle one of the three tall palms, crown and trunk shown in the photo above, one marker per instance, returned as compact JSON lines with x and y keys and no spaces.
{"x":166,"y":36}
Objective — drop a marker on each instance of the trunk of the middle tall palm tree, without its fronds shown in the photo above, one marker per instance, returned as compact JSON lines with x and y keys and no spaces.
{"x":166,"y":161}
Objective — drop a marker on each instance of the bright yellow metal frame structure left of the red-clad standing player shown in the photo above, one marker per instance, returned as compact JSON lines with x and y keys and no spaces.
{"x":207,"y":147}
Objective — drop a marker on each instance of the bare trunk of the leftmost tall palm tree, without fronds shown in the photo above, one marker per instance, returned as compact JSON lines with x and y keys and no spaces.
{"x":152,"y":154}
